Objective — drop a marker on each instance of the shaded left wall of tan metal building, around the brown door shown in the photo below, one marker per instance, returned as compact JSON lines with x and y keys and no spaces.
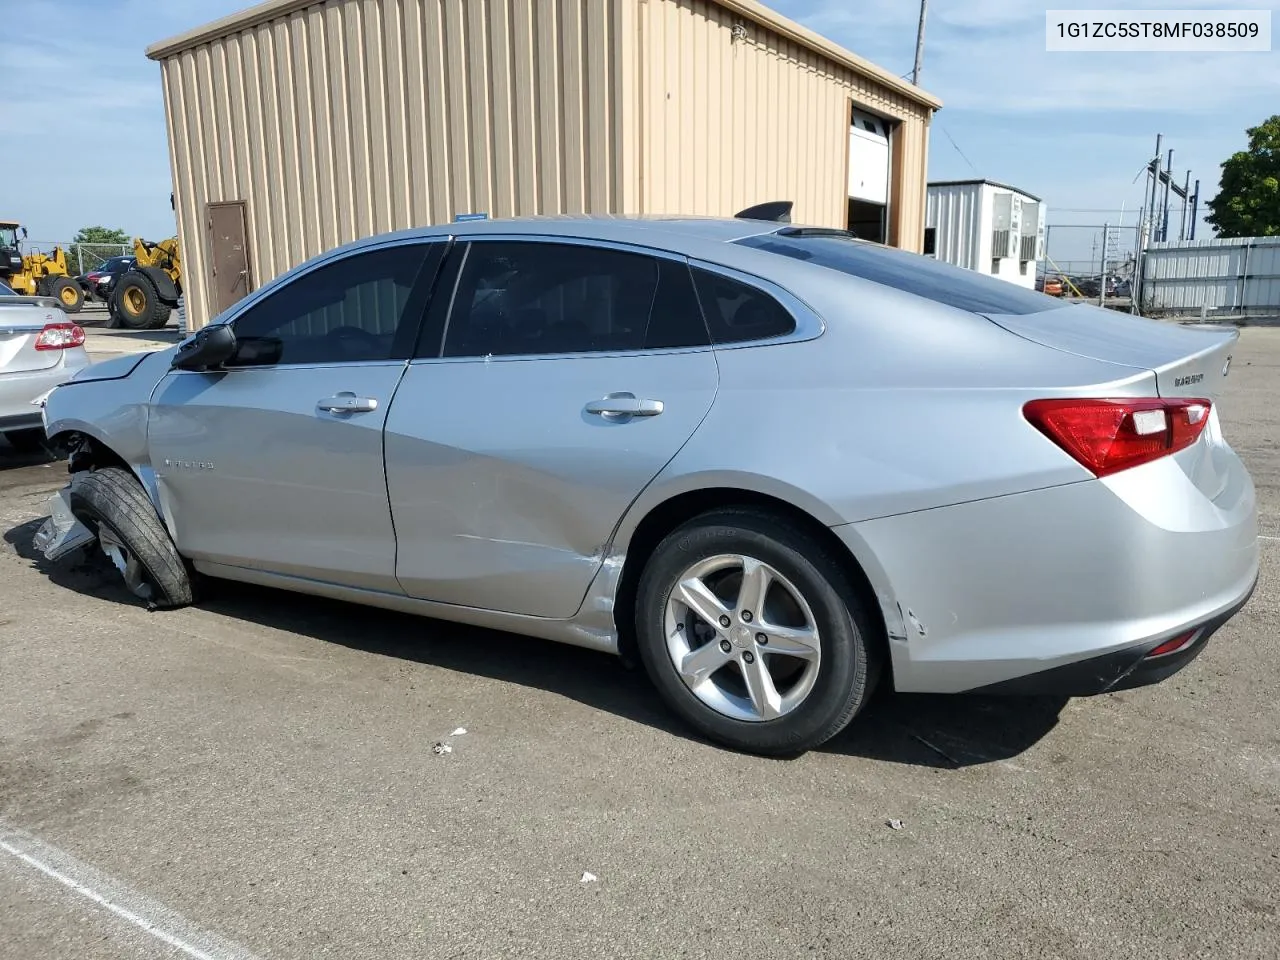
{"x":350,"y":118}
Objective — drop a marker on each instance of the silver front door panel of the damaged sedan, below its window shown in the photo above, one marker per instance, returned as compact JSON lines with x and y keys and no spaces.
{"x":252,"y":472}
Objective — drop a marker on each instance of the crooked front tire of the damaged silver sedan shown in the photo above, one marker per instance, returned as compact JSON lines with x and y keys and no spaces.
{"x":113,"y":504}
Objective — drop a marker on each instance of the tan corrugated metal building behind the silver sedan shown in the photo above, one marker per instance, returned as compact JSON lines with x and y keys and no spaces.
{"x":301,"y":125}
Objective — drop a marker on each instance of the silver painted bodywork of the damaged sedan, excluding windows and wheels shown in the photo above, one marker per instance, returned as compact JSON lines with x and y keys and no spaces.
{"x":894,"y":420}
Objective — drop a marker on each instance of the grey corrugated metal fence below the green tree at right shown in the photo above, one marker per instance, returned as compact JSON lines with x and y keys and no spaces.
{"x":1223,"y":277}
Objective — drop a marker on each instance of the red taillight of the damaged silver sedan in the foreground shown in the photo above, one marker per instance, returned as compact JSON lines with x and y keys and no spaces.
{"x":1108,"y":436}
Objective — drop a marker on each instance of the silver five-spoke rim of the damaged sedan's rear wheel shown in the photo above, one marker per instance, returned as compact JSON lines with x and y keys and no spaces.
{"x":743,"y":638}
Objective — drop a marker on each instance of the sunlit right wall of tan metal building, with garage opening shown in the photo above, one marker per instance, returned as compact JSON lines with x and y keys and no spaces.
{"x":728,"y":122}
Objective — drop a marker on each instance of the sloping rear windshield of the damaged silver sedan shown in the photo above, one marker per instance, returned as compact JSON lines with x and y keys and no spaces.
{"x":913,"y":273}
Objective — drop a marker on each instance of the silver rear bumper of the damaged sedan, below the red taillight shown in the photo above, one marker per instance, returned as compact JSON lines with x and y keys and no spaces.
{"x":1067,"y":588}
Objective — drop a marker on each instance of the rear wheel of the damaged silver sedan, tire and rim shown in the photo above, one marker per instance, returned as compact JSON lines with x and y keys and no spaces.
{"x":821,"y":666}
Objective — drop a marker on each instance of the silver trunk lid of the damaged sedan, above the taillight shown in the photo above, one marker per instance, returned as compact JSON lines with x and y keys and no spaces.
{"x":1188,"y":362}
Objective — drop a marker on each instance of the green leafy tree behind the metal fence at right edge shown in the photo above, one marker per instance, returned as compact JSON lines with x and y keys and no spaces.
{"x":1249,"y":199}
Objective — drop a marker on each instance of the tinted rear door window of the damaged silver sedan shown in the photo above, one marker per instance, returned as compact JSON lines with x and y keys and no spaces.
{"x":522,"y":299}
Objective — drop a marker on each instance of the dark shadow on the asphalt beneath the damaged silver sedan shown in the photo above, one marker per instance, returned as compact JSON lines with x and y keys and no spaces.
{"x":945,"y":733}
